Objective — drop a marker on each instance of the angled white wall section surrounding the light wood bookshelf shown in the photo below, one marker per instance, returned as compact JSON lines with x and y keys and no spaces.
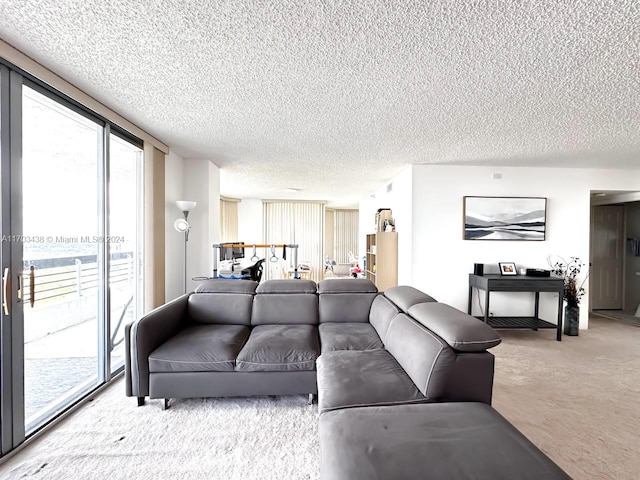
{"x":400,"y":201}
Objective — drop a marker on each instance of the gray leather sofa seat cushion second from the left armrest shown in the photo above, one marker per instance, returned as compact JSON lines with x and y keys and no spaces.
{"x":280,"y":348}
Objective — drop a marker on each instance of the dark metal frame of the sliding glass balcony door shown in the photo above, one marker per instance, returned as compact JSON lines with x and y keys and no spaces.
{"x":12,"y":361}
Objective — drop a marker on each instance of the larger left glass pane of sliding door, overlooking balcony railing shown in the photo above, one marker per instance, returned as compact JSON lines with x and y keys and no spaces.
{"x":60,"y":217}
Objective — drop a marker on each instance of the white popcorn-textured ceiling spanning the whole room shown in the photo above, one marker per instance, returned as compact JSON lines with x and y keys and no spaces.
{"x":336,"y":97}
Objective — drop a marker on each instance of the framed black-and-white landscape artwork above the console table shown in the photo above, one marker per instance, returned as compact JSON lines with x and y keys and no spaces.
{"x":505,"y":218}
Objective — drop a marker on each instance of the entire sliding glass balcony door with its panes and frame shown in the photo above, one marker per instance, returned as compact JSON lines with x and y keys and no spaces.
{"x":70,"y":202}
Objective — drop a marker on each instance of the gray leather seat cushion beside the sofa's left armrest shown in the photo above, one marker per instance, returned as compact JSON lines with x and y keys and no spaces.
{"x":200,"y":348}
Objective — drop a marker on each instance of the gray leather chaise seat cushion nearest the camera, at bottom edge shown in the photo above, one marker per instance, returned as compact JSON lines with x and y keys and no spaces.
{"x":438,"y":441}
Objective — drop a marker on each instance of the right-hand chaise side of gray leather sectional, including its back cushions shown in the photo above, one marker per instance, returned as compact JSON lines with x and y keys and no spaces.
{"x":420,"y":406}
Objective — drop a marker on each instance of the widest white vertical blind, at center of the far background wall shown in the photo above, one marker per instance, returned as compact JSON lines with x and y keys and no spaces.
{"x":300,"y":223}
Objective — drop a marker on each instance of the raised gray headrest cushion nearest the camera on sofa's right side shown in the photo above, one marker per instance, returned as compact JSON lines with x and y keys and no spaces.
{"x":461,"y":331}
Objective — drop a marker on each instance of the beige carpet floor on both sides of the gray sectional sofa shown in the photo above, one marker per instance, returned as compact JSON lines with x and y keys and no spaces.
{"x":577,"y":400}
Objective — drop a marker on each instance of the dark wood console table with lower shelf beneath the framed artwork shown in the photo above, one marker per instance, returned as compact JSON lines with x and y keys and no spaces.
{"x":503,"y":283}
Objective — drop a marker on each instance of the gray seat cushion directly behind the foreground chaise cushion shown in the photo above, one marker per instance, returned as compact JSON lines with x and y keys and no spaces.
{"x":353,"y":379}
